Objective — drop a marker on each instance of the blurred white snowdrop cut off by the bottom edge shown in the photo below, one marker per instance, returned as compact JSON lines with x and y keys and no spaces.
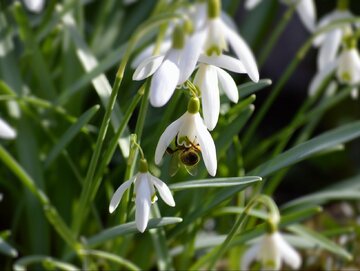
{"x":270,"y":251}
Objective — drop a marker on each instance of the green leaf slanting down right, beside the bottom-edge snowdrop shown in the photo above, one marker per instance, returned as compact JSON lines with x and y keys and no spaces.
{"x":320,"y":240}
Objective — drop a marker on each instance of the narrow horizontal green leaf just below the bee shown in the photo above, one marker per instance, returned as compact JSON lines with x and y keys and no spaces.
{"x":218,"y":182}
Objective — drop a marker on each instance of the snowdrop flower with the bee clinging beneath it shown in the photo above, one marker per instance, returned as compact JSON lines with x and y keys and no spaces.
{"x":189,"y":128}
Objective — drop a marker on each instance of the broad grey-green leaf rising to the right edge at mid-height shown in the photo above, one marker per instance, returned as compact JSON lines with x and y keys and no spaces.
{"x":307,"y":149}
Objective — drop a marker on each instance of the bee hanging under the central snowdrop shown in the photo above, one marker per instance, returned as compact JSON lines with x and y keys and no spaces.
{"x":187,"y":155}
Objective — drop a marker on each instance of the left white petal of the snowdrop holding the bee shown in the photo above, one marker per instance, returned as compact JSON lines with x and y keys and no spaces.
{"x":166,"y":138}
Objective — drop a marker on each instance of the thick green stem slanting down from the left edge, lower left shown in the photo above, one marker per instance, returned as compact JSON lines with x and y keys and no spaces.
{"x":50,"y":211}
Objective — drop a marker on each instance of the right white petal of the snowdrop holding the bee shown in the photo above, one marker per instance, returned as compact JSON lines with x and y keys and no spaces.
{"x":207,"y":146}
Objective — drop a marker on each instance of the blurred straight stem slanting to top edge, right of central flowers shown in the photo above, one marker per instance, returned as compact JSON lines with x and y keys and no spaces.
{"x":275,"y":35}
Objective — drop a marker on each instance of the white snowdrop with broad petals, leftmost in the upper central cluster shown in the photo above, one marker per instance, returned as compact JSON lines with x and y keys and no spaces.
{"x":170,"y":69}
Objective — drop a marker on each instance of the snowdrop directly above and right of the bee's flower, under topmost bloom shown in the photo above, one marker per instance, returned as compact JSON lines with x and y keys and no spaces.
{"x":210,"y":78}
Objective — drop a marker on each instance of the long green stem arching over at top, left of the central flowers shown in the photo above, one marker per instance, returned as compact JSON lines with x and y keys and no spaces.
{"x":88,"y":188}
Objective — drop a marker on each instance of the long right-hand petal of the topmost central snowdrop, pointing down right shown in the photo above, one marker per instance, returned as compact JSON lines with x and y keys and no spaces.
{"x":243,"y":52}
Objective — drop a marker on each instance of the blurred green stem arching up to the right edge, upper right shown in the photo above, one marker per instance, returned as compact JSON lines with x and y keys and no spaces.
{"x":287,"y":74}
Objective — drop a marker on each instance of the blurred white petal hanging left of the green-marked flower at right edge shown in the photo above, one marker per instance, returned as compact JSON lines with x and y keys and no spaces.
{"x":329,"y":49}
